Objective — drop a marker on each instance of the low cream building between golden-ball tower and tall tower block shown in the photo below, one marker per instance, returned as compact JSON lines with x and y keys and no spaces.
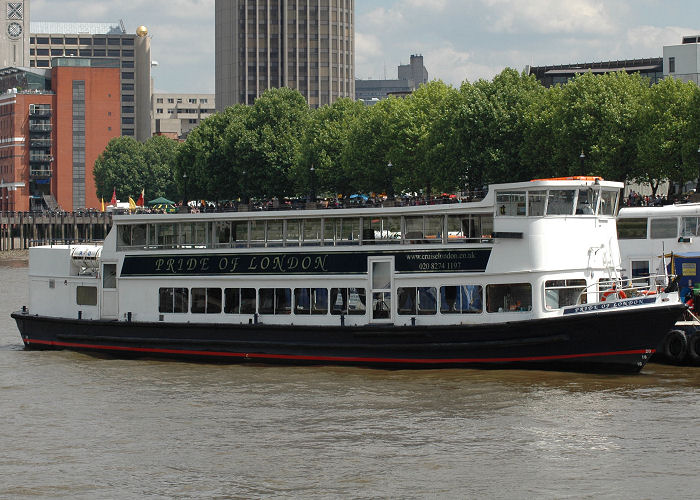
{"x":175,"y":115}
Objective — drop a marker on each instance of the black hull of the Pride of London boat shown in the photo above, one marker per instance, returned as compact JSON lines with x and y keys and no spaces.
{"x":611,"y":341}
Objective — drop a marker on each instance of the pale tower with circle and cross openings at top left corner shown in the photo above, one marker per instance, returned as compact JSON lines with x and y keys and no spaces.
{"x":14,"y":41}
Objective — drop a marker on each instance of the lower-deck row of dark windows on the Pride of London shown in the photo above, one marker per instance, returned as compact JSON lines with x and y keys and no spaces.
{"x":453,"y":299}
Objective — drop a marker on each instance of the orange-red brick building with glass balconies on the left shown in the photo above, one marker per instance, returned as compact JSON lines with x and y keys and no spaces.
{"x":54,"y":124}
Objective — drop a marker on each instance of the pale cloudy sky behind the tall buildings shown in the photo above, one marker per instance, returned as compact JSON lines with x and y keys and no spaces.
{"x":459,"y":39}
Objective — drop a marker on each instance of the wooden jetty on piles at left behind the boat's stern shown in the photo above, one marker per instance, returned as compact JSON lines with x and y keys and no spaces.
{"x":21,"y":230}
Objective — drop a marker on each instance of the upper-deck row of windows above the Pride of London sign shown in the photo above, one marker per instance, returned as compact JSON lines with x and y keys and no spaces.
{"x":307,"y":232}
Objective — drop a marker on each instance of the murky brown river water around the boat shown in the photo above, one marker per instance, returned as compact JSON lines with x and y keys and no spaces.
{"x":79,"y":426}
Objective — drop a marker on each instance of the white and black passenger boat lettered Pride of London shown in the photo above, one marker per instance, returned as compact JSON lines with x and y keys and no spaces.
{"x":525,"y":277}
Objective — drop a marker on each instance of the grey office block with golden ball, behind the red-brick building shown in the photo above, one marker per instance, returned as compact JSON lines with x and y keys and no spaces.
{"x":49,"y":40}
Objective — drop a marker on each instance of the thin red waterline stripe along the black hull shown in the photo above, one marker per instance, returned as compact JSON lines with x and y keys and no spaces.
{"x":334,"y":358}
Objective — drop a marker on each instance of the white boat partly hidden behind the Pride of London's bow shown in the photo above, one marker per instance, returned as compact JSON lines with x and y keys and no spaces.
{"x":666,"y":239}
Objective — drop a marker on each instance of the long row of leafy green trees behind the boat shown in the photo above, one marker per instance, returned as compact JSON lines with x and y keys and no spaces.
{"x":438,"y":139}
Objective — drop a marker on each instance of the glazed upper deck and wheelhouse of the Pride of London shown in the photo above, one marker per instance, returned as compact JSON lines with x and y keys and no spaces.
{"x":507,"y":211}
